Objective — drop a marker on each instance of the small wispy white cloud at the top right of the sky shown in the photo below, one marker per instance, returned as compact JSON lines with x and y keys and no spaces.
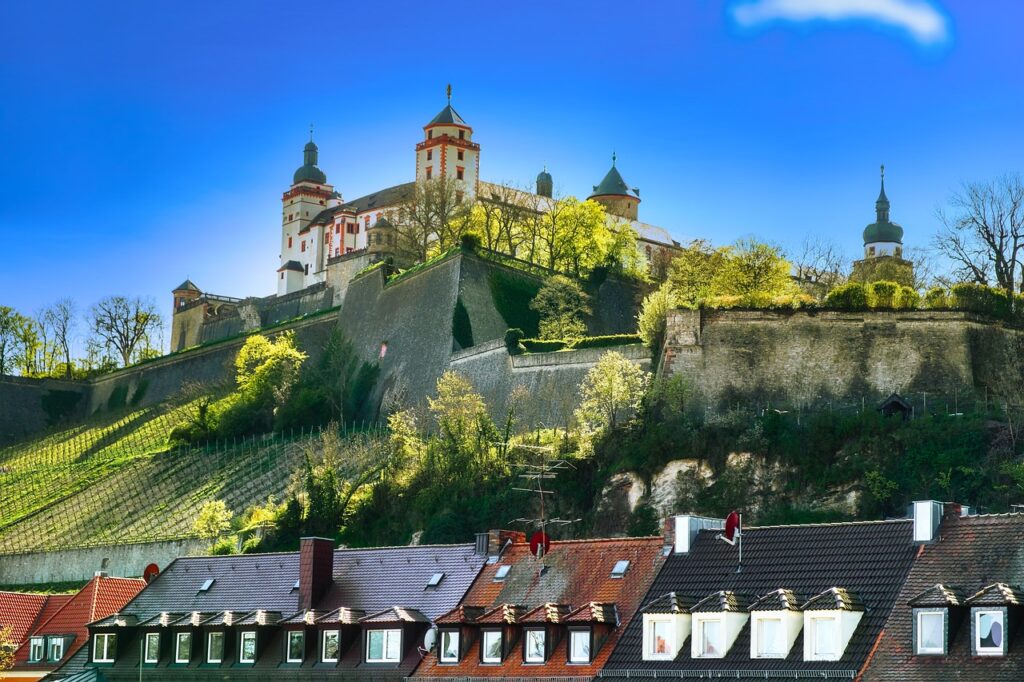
{"x":919,"y":18}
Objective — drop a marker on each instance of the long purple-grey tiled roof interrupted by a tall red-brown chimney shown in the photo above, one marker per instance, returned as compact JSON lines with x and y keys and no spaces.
{"x":369,"y":580}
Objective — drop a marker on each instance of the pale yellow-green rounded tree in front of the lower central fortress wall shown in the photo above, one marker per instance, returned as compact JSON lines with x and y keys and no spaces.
{"x":613,"y":390}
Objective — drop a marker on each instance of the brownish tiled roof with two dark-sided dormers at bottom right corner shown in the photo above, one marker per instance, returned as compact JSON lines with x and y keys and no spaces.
{"x":972,"y":553}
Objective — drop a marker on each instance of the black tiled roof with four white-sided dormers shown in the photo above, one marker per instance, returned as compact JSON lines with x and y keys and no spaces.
{"x":871,"y":560}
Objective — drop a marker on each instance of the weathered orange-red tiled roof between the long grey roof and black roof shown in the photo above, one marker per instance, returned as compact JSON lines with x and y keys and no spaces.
{"x":573,"y":579}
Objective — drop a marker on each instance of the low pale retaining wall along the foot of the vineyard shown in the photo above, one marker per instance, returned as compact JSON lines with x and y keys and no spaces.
{"x":127,"y":561}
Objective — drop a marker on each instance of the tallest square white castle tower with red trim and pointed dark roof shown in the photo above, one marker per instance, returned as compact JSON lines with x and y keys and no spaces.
{"x":448,"y":150}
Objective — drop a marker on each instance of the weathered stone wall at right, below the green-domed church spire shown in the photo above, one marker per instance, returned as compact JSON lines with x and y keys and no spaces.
{"x":815,"y":358}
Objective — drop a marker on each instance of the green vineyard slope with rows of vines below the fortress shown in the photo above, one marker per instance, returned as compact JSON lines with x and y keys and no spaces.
{"x":114,"y":480}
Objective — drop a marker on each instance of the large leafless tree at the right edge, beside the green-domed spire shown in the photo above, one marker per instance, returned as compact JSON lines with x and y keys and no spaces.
{"x":984,"y":232}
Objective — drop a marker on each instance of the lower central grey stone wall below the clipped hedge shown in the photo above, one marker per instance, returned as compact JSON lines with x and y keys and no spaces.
{"x":545,"y":387}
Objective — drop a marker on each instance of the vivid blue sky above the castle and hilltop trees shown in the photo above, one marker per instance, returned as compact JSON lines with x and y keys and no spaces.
{"x":145,"y":143}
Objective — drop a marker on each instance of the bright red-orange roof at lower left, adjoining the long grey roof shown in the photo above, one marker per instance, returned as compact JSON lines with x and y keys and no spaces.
{"x":100,"y":599}
